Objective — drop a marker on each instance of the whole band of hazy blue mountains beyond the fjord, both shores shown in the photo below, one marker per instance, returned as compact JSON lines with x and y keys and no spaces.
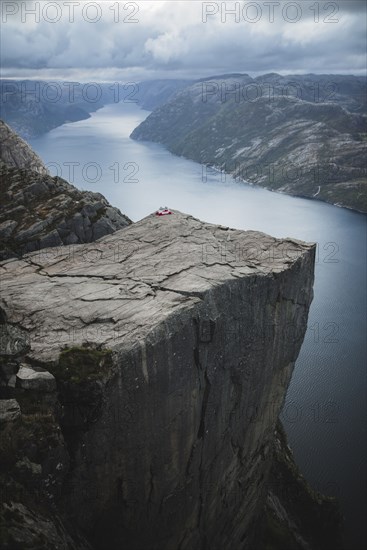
{"x":299,"y":134}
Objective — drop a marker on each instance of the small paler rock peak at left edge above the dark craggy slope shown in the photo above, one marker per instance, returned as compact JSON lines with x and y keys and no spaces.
{"x":16,"y":153}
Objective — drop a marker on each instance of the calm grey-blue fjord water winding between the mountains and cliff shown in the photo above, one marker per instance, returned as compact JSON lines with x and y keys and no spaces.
{"x":325,"y":410}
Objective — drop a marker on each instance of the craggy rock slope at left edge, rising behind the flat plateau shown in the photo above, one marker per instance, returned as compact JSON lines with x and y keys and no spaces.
{"x":39,"y":211}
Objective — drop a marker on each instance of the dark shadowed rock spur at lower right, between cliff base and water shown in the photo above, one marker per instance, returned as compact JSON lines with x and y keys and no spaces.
{"x":296,"y":517}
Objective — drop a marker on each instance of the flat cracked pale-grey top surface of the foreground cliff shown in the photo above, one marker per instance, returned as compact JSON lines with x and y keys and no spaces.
{"x":126,"y":284}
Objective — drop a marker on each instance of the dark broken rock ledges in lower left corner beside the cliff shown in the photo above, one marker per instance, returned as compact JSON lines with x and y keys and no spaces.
{"x":33,"y":455}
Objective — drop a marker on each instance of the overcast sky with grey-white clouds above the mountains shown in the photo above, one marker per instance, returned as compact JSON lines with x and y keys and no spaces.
{"x":113,"y":41}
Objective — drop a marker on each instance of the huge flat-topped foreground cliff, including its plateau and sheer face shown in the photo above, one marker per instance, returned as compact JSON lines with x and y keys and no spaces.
{"x":171,"y":344}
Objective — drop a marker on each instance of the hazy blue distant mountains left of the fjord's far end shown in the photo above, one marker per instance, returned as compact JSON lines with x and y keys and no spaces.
{"x":34,"y":107}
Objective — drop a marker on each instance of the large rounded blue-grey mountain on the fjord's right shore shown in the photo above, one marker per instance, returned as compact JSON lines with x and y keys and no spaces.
{"x":303,"y":135}
